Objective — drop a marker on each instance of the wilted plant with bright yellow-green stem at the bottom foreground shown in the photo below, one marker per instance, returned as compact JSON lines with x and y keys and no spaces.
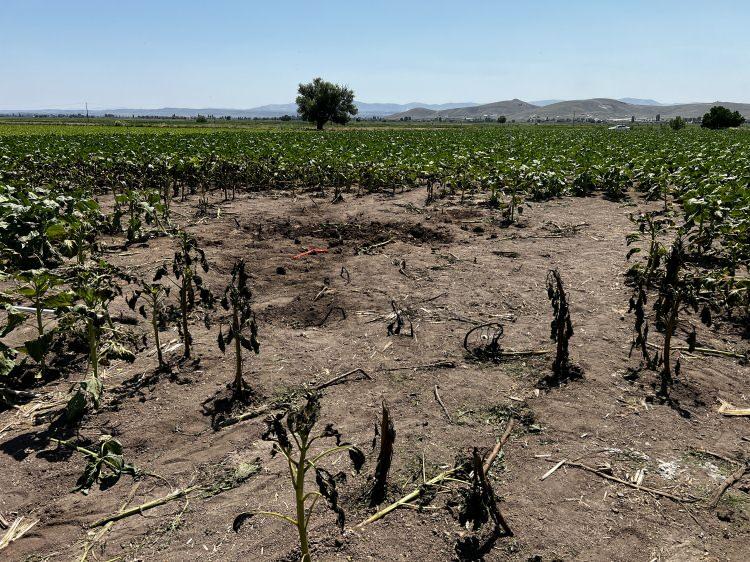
{"x":293,"y":435}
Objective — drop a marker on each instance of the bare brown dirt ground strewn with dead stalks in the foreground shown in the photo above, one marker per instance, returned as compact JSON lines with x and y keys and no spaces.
{"x":448,"y":267}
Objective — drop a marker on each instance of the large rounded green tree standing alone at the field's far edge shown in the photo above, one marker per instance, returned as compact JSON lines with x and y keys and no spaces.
{"x":320,"y":102}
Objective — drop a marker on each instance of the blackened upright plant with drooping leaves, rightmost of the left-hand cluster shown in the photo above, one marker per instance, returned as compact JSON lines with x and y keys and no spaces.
{"x":237,"y":299}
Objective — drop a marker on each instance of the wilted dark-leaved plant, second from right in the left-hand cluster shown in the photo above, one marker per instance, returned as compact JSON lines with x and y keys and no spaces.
{"x":191,"y":289}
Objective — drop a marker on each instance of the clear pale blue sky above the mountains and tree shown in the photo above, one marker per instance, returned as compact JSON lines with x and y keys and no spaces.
{"x":224,"y":53}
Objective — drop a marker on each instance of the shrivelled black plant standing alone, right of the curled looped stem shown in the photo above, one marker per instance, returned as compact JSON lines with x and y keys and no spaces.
{"x":561,"y":330}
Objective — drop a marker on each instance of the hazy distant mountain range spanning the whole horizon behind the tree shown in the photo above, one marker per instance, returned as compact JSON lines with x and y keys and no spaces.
{"x":597,"y":108}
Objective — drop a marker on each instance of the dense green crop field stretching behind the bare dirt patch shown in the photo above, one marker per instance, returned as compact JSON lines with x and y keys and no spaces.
{"x":706,"y":171}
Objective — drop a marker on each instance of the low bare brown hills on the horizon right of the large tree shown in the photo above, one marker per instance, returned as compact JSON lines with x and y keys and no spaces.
{"x":550,"y":110}
